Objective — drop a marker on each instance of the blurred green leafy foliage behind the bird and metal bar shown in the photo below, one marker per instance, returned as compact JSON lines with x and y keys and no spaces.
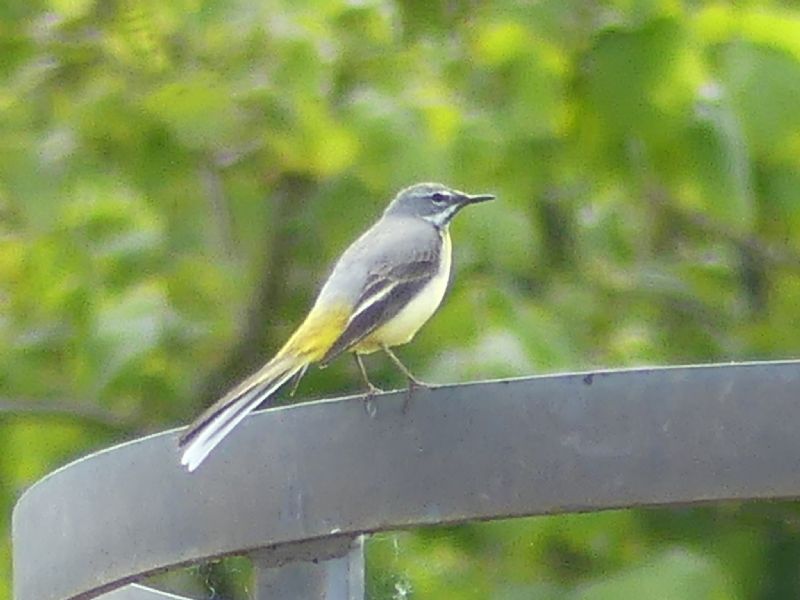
{"x":175,"y":177}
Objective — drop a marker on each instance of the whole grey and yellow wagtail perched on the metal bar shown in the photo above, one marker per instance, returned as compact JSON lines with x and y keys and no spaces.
{"x":381,"y":291}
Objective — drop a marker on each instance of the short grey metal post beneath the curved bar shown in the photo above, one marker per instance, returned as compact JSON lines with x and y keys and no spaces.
{"x":325,"y":570}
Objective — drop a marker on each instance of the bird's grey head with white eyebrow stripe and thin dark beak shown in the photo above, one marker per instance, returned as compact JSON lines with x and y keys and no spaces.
{"x":433,"y":202}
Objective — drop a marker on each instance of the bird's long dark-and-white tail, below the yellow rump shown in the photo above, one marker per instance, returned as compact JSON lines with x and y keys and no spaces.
{"x":219,"y":419}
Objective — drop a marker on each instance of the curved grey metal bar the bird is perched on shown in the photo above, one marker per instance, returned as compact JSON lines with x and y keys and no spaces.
{"x":328,"y":469}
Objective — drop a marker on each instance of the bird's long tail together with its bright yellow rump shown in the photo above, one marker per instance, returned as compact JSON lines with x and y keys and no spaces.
{"x":307,"y":345}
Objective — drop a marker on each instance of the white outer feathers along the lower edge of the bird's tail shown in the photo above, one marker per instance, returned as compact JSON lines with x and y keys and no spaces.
{"x":221,"y":424}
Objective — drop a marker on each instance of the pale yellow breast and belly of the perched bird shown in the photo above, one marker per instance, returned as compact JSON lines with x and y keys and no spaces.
{"x":404,"y":325}
